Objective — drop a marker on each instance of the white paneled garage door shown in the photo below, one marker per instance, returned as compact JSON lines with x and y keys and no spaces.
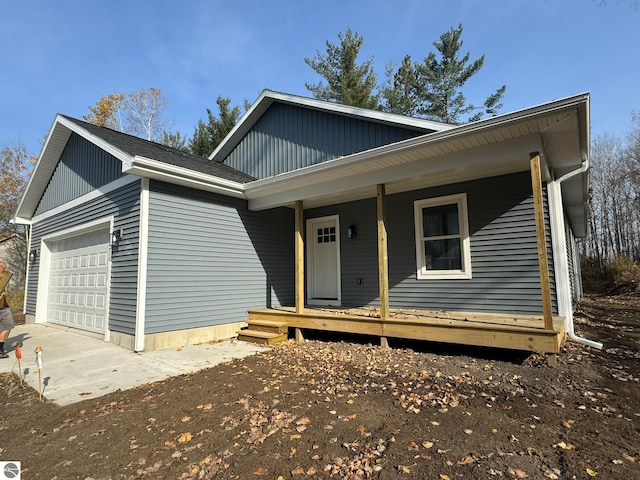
{"x":78,"y":281}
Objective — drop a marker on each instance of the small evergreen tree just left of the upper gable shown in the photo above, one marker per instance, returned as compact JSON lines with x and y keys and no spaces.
{"x":208,"y":135}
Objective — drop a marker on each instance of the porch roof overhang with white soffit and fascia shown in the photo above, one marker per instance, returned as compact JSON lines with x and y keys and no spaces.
{"x":495,"y":146}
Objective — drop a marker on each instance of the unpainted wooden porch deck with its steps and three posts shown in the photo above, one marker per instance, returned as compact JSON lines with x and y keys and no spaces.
{"x":542,"y":333}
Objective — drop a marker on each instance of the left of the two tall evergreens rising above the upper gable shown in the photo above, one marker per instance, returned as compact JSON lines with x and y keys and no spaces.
{"x":347,"y":82}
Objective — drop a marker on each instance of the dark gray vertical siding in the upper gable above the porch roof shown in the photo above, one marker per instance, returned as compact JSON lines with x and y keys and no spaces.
{"x":289,"y":137}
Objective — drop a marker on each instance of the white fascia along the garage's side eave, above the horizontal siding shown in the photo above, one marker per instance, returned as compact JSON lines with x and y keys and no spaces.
{"x":147,"y":167}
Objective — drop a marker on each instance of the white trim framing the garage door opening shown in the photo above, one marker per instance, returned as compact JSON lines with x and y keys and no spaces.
{"x":44,"y":259}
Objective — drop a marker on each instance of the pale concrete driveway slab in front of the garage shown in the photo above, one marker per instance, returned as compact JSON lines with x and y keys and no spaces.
{"x":76,"y":366}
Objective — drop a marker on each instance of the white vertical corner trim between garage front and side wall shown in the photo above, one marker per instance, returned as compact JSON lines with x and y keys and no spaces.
{"x":143,"y":245}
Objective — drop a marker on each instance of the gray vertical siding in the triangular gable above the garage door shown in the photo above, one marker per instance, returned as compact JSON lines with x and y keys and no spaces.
{"x":82,"y":168}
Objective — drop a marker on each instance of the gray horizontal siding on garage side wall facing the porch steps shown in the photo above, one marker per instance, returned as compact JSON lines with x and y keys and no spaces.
{"x":210,"y":259}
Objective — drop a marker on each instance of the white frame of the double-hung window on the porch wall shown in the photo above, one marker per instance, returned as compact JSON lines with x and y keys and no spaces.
{"x":463,"y":218}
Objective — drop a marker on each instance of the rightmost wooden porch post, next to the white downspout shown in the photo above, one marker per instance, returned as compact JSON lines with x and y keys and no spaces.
{"x":538,"y":206}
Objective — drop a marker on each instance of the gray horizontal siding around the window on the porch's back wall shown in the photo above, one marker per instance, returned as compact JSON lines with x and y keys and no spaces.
{"x":504,"y":254}
